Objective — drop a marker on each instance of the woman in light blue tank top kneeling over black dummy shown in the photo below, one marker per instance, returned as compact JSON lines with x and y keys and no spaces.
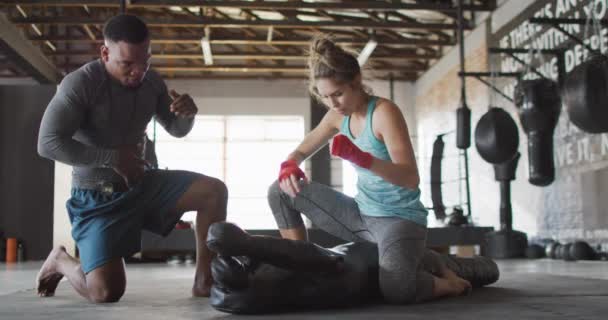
{"x":372,"y":134}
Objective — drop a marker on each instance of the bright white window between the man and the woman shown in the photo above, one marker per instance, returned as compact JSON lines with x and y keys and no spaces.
{"x":243,"y":151}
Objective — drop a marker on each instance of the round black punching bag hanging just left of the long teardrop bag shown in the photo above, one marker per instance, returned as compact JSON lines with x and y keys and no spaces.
{"x":496,"y":136}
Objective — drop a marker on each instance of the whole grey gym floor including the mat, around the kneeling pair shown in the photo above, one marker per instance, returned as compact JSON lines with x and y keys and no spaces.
{"x":528,"y":289}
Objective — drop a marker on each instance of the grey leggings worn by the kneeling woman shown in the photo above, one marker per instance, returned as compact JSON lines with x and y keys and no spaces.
{"x":403,"y":257}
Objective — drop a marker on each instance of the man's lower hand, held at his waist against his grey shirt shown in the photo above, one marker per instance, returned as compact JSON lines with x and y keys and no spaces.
{"x":130,"y":164}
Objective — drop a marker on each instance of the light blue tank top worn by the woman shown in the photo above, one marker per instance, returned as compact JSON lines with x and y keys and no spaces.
{"x":376,"y":196}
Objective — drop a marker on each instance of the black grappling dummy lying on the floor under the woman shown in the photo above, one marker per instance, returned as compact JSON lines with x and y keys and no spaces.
{"x":259,"y":282}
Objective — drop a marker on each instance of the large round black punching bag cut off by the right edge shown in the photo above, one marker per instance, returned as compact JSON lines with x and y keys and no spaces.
{"x":585,"y":94}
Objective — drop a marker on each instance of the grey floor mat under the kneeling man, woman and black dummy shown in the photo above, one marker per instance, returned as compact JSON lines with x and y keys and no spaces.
{"x":514,"y":296}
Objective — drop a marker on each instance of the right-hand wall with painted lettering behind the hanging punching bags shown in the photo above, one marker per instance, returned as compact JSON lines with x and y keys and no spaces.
{"x":573,"y":206}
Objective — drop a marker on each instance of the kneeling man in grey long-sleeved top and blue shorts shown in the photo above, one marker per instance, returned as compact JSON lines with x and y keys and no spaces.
{"x":96,"y":122}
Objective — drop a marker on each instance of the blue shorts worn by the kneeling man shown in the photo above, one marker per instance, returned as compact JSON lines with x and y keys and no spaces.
{"x":108,"y":225}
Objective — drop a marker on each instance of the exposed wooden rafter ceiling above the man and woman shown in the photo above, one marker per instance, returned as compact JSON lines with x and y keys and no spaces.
{"x":249,"y":38}
